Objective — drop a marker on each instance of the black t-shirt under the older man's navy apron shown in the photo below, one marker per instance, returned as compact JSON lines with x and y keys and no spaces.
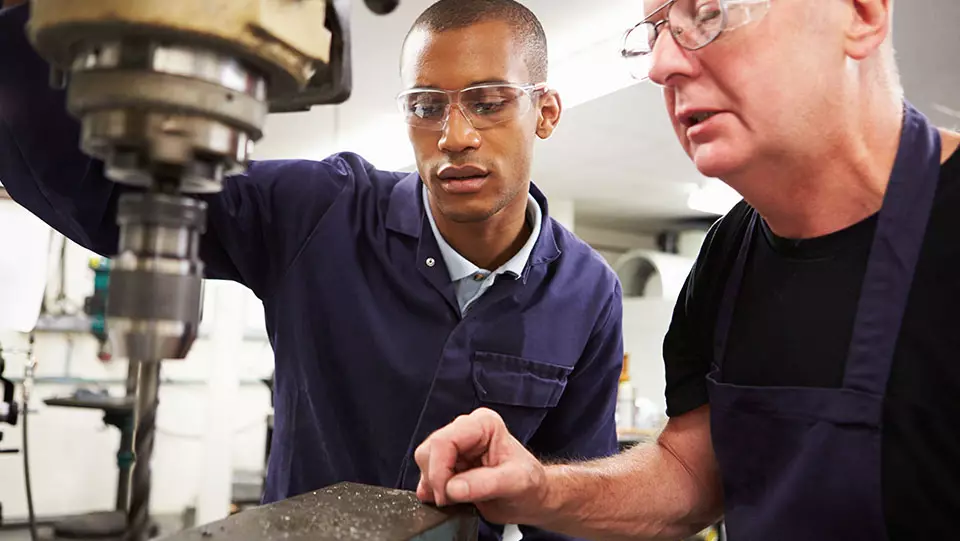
{"x":792,"y":327}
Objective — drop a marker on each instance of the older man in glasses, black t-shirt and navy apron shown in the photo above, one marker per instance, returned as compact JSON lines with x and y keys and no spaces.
{"x":816,"y":338}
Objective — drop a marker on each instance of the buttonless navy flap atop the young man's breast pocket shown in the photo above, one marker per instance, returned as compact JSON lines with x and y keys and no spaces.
{"x":515,"y":381}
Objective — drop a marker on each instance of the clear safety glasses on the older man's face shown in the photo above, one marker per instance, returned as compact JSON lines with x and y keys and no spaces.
{"x":694,"y":24}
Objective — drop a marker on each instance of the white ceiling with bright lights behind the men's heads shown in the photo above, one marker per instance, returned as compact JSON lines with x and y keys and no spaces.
{"x":614,"y":152}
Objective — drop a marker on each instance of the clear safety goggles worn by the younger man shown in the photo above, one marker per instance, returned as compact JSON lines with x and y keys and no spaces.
{"x":484,"y":105}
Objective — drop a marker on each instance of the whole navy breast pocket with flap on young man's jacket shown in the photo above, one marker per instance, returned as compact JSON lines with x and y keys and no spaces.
{"x":521,"y":390}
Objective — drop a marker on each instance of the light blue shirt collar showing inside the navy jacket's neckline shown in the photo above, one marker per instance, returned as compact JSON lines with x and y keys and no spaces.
{"x":470,"y":280}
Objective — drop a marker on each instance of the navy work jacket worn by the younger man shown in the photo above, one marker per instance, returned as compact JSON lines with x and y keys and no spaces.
{"x":371,"y":351}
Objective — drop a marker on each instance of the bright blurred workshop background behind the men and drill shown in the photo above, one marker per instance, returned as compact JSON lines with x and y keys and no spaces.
{"x":614,"y":174}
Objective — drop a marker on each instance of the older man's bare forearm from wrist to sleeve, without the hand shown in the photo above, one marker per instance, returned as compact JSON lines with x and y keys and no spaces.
{"x":664,"y":490}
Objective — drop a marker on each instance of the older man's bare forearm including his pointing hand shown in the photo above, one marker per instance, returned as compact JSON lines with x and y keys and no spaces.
{"x":666,"y":490}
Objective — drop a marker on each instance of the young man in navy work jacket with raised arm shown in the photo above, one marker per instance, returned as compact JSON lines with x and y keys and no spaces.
{"x":395,"y":302}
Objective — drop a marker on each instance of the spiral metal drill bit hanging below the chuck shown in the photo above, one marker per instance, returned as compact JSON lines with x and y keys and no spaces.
{"x":145,"y":415}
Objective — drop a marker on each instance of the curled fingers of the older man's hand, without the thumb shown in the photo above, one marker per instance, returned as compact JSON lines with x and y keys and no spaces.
{"x":452,"y":449}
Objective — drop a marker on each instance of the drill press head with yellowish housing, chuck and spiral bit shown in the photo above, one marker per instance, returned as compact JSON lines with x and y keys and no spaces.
{"x":171,"y":96}
